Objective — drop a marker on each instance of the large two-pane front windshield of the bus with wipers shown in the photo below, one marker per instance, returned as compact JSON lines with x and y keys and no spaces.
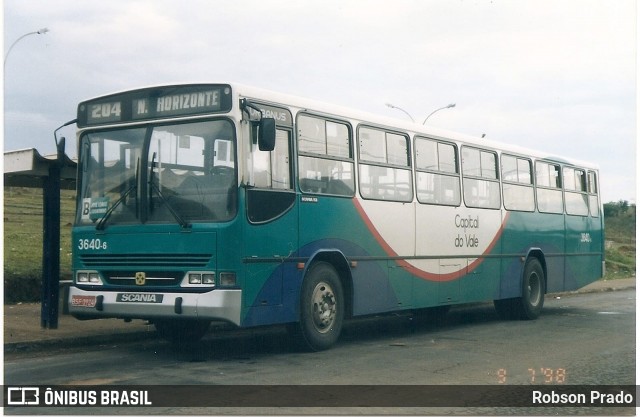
{"x":176,"y":173}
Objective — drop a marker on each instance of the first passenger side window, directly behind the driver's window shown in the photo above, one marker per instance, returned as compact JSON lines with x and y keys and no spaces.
{"x":325,"y":159}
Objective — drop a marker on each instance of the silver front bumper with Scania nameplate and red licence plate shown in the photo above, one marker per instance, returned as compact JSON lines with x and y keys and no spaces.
{"x":213,"y":305}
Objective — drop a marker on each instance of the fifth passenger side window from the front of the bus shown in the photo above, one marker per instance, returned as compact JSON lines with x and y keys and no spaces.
{"x":517,"y":183}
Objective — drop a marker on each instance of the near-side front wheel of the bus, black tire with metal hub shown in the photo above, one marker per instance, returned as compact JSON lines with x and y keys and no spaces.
{"x":321,"y":308}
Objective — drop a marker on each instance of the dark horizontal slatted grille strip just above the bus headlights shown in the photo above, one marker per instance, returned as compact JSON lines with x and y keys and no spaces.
{"x":129,"y":260}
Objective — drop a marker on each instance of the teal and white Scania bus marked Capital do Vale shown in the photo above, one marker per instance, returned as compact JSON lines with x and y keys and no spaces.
{"x":200,"y":203}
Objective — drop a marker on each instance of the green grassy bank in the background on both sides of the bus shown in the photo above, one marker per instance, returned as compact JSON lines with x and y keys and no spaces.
{"x":23,"y":242}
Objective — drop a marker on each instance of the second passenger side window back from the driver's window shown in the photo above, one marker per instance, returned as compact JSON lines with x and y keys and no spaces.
{"x":384,"y":168}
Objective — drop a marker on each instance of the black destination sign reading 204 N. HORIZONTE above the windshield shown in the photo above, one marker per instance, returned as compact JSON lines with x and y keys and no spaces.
{"x":151,"y":103}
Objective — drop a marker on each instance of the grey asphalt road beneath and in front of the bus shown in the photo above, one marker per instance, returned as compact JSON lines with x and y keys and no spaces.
{"x":579,"y":339}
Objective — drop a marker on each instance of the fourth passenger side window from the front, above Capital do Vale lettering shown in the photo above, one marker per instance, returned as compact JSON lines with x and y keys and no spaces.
{"x":481,"y":187}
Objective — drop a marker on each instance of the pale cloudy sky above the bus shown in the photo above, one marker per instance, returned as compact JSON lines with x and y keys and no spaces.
{"x":554,"y":75}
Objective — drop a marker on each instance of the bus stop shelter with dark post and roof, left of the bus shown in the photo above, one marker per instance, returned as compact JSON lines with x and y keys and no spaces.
{"x":28,"y":168}
